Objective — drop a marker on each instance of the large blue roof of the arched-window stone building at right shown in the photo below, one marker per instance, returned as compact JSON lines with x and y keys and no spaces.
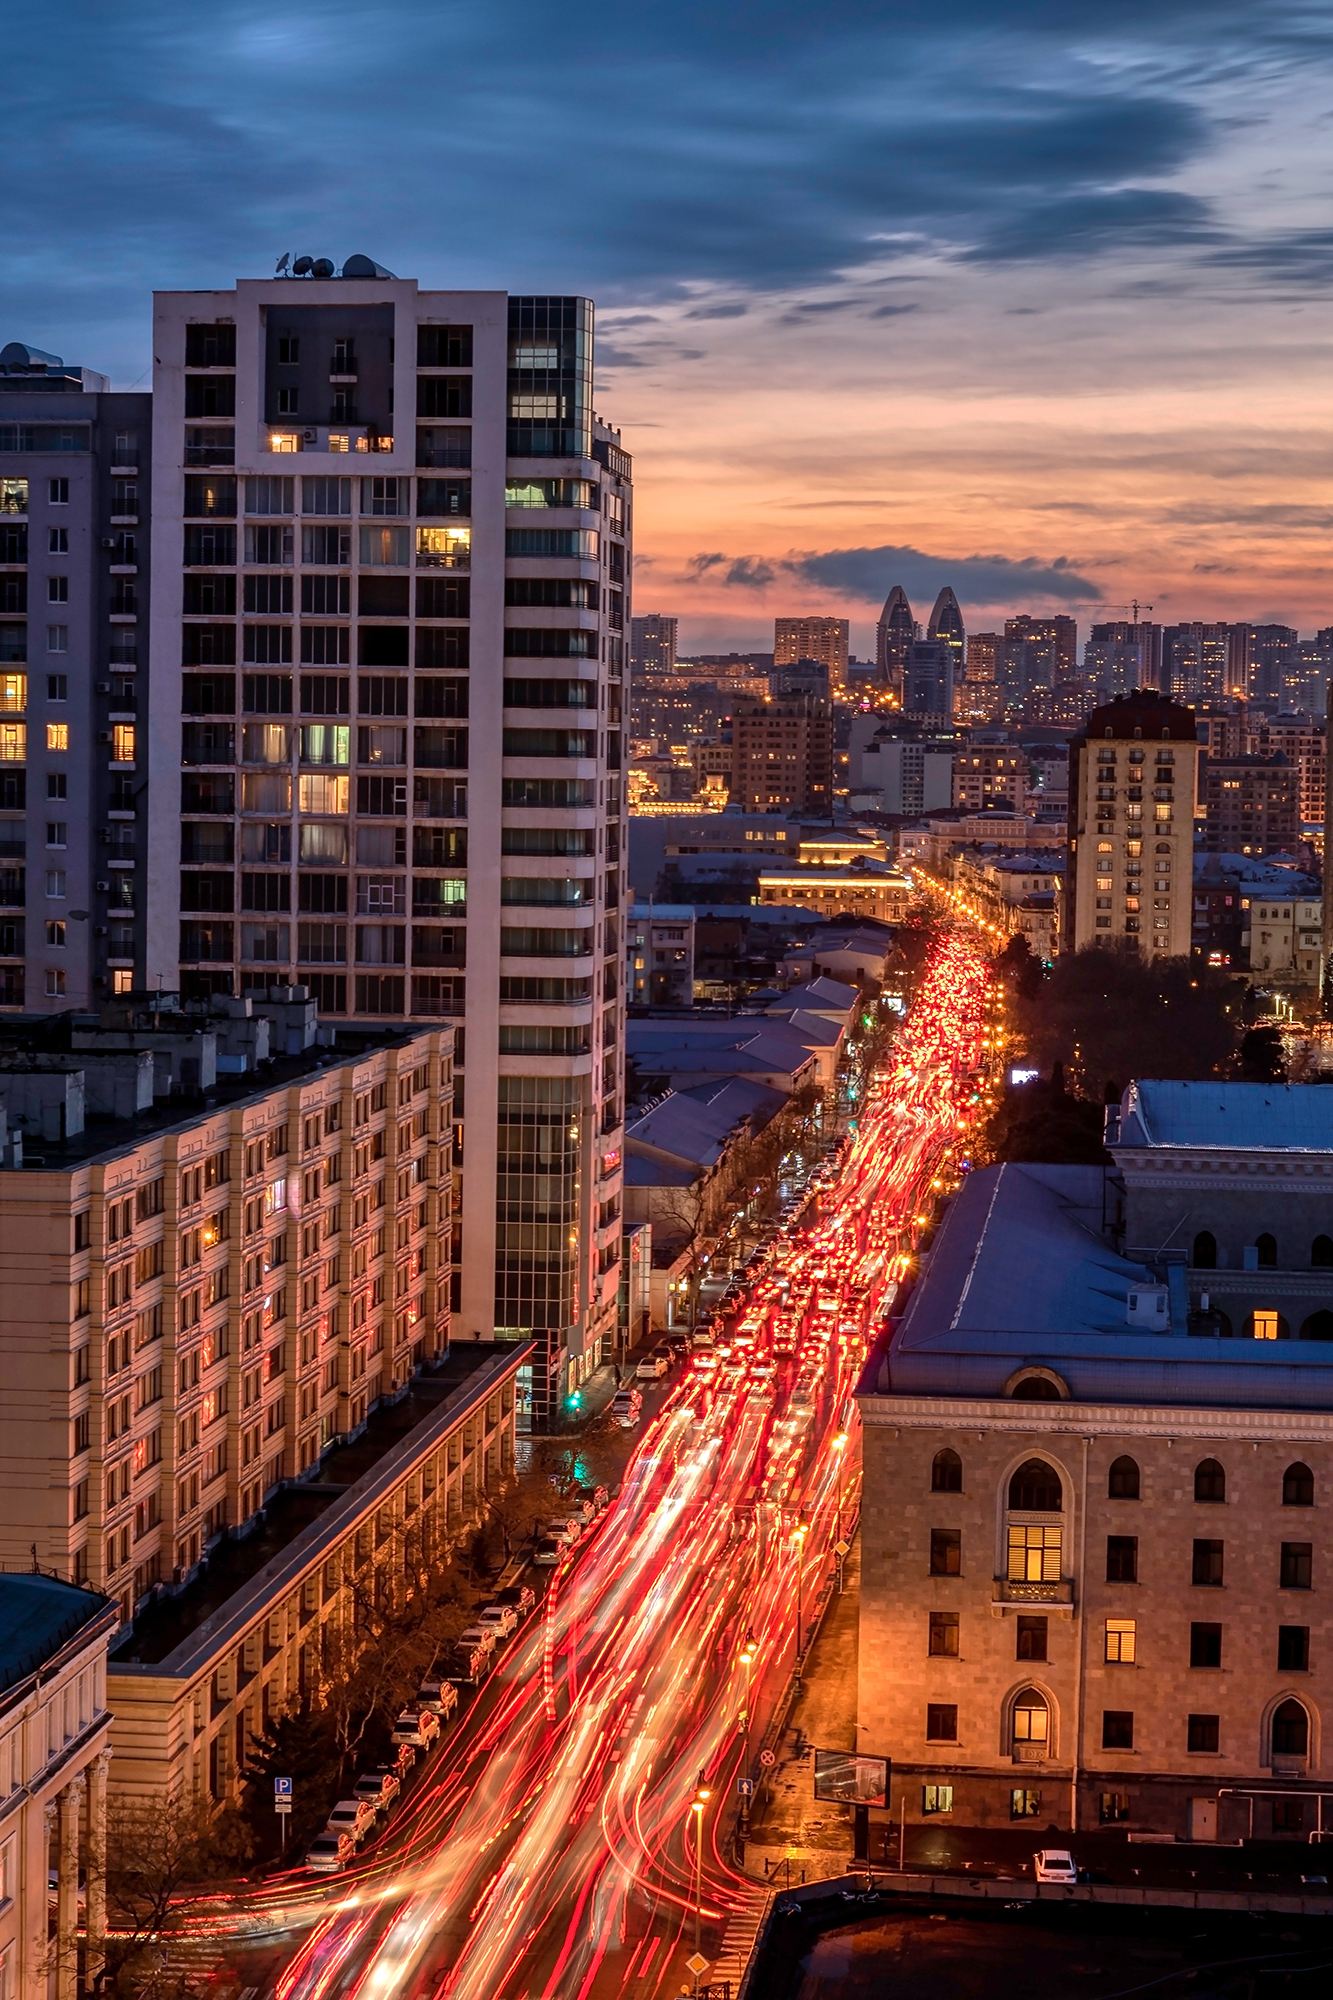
{"x":1022,"y":1277}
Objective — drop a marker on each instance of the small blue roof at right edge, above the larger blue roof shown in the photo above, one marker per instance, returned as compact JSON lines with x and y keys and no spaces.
{"x":1236,"y":1117}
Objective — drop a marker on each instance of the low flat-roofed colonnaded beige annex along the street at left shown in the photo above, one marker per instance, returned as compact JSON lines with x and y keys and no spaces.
{"x":277,"y":1615}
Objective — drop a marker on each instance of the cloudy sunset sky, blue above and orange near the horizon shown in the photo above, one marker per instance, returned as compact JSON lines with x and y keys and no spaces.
{"x":1030,"y":299}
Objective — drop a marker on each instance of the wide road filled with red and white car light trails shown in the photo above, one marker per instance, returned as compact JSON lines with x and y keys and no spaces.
{"x":549,"y":1851}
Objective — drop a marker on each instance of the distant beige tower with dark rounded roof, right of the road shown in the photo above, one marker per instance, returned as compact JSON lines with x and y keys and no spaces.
{"x":1132,"y":827}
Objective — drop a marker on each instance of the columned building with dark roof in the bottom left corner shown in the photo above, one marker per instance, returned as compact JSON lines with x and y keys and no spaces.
{"x":53,"y":1785}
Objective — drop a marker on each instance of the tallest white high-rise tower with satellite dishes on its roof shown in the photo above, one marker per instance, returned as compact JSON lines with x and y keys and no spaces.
{"x":387,"y":727}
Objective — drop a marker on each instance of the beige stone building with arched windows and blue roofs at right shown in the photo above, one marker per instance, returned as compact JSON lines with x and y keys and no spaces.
{"x":1094,"y":1577}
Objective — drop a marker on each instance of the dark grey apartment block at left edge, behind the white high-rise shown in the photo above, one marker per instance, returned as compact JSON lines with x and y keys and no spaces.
{"x":75,"y":489}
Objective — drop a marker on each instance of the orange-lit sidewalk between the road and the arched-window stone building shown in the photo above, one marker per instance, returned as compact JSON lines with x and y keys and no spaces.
{"x":792,"y":1831}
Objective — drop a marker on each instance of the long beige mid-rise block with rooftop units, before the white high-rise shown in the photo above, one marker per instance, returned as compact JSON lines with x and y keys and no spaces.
{"x":201,"y":1303}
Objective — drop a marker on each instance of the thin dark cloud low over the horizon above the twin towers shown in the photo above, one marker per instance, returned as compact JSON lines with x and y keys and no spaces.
{"x":868,"y":575}
